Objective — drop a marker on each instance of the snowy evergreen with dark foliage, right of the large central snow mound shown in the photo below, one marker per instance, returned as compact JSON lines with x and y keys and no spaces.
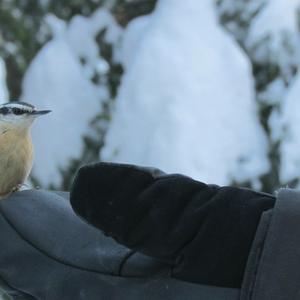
{"x":269,"y":33}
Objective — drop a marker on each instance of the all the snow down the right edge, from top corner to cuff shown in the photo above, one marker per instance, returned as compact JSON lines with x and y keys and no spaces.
{"x":274,"y":36}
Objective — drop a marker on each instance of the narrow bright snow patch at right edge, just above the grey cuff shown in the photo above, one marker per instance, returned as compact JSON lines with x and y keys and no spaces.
{"x":289,"y":150}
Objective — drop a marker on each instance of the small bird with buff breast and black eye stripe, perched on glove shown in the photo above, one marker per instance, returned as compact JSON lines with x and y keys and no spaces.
{"x":16,"y":148}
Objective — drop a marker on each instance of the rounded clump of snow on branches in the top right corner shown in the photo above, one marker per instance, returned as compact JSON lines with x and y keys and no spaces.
{"x":274,"y":33}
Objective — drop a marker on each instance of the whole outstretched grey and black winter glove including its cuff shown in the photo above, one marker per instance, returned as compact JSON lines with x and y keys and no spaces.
{"x":173,"y":238}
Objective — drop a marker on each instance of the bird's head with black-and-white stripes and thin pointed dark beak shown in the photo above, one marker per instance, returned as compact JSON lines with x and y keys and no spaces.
{"x":18,"y":115}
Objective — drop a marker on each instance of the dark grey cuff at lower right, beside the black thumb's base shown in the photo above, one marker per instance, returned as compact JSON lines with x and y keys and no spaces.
{"x":273,"y":269}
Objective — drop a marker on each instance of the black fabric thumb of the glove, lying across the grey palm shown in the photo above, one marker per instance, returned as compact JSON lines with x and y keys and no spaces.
{"x":203,"y":231}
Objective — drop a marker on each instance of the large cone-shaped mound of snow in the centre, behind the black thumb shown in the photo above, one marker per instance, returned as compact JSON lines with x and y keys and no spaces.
{"x":186,"y":102}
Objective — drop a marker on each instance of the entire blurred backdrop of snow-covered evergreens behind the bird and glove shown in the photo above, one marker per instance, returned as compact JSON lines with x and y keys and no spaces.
{"x":186,"y":84}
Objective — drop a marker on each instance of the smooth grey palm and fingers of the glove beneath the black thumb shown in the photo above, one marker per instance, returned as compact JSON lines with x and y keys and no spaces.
{"x":48,"y":253}
